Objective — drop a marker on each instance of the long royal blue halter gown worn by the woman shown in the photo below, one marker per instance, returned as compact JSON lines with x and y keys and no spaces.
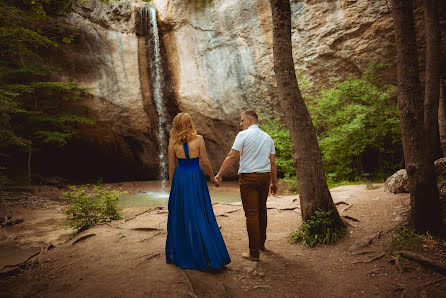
{"x":194,"y":240}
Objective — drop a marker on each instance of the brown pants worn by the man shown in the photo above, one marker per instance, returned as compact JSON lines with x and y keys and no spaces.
{"x":254,"y":190}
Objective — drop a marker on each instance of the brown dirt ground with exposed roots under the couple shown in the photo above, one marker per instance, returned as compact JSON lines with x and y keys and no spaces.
{"x":126,"y":257}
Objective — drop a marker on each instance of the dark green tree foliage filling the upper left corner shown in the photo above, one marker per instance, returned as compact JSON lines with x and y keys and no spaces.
{"x":34,"y":109}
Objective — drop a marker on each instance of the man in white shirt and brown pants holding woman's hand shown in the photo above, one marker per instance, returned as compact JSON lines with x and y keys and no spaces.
{"x":257,"y":172}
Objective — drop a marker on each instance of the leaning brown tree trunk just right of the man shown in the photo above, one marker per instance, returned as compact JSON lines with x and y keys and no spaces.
{"x":313,"y":189}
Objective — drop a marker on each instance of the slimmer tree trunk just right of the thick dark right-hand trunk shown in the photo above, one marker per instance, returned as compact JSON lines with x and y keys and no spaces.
{"x":432,"y":85}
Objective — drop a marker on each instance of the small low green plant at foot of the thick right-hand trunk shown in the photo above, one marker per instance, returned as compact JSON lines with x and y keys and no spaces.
{"x":404,"y":238}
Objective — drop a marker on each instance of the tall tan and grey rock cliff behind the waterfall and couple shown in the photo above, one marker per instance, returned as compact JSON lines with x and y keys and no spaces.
{"x":219,"y":62}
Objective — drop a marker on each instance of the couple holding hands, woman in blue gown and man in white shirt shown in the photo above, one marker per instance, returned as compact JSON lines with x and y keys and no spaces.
{"x":194,"y":240}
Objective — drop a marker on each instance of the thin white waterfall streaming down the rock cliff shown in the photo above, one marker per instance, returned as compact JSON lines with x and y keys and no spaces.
{"x":154,"y":64}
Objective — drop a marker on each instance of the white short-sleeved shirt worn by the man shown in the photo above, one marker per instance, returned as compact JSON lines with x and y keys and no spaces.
{"x":255,"y":147}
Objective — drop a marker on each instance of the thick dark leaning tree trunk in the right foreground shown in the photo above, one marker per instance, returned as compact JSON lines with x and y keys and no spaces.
{"x":424,"y":196}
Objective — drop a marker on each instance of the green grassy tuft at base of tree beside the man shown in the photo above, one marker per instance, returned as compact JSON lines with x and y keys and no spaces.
{"x":318,"y":230}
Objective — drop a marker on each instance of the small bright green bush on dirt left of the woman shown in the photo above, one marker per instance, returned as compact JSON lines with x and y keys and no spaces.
{"x":91,"y":205}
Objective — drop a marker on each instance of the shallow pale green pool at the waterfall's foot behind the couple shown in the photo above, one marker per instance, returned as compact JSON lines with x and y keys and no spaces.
{"x":160,"y":198}
